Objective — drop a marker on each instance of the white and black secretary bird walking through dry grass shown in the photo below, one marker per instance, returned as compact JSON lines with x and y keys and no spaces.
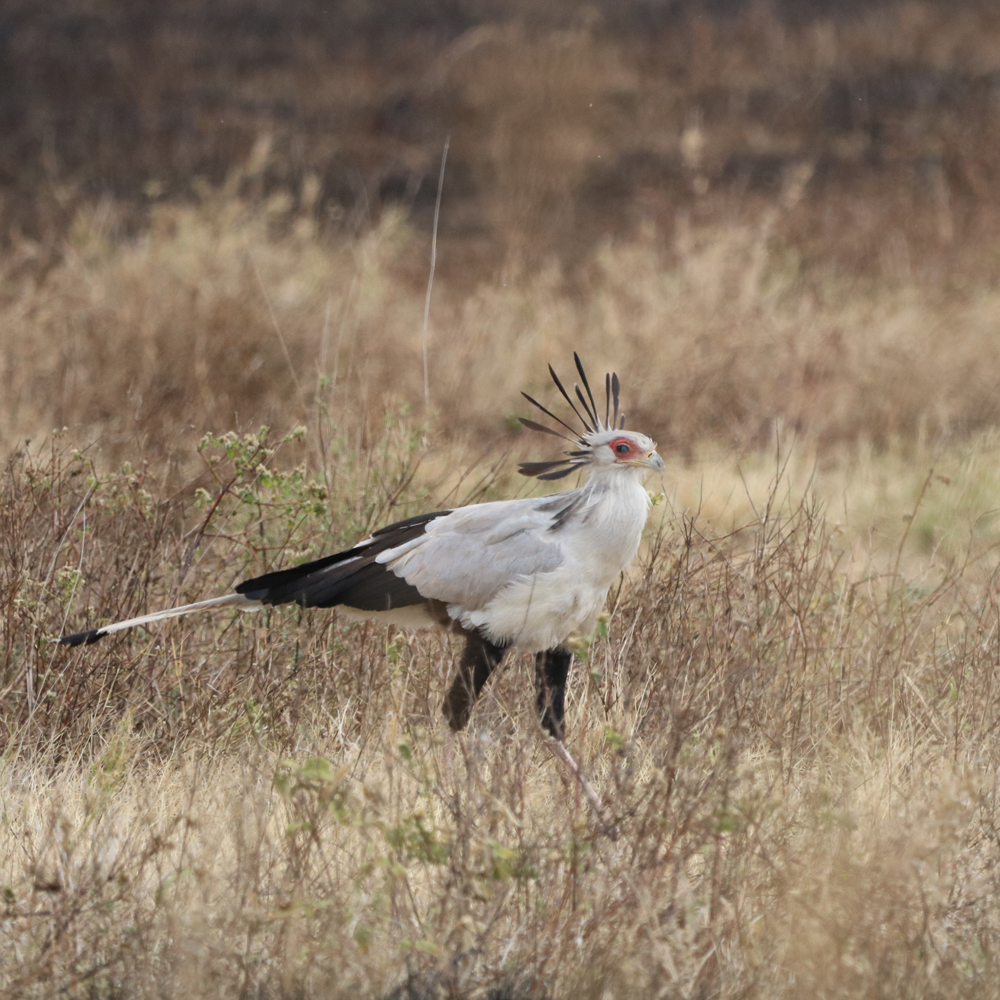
{"x":528,"y":573}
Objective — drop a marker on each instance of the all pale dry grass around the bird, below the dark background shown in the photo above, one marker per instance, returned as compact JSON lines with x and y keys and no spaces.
{"x":791,"y":711}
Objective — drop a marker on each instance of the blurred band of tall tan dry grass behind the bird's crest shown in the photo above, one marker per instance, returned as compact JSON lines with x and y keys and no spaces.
{"x":211,"y":320}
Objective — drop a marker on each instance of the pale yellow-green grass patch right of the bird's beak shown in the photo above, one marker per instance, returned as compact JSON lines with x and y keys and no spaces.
{"x":933,"y":506}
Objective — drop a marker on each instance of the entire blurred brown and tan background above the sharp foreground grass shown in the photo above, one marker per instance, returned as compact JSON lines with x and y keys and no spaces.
{"x":218,"y":214}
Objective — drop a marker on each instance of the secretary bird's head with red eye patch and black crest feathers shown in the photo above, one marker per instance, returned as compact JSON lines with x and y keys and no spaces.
{"x":603,"y":445}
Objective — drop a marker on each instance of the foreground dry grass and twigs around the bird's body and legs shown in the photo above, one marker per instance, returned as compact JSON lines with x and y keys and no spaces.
{"x":801,"y":766}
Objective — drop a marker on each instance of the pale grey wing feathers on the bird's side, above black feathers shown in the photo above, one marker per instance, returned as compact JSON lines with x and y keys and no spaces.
{"x":469,"y":556}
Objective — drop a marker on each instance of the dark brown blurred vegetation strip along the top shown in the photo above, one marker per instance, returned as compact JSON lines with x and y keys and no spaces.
{"x":894,"y":105}
